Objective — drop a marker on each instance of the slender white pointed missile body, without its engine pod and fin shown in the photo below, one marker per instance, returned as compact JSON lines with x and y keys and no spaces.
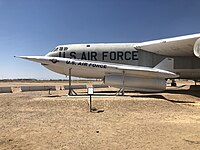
{"x":103,"y":67}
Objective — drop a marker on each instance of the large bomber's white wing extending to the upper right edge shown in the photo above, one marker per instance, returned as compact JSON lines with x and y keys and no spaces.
{"x":176,"y":46}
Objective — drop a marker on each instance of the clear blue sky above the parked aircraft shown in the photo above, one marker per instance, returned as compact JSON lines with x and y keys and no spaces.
{"x":34,"y":27}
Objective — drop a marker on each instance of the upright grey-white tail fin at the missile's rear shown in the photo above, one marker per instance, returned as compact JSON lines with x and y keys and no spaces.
{"x":166,"y":64}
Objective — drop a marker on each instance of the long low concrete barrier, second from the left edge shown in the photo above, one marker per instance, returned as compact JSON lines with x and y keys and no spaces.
{"x":37,"y":88}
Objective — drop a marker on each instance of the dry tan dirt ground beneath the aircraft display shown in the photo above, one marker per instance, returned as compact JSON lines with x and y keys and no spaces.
{"x":37,"y":120}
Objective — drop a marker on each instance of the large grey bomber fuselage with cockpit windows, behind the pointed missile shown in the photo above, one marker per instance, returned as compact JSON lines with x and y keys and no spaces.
{"x":187,"y":67}
